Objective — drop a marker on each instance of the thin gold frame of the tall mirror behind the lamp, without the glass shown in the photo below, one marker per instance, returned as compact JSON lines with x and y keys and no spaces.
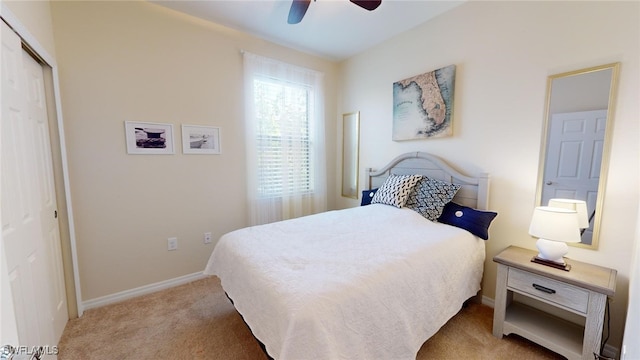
{"x":604,"y":165}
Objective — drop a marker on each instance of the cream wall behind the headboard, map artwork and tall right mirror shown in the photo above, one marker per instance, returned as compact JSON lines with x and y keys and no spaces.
{"x":504,"y":52}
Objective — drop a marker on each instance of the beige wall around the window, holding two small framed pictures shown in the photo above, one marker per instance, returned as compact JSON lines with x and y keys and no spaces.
{"x":136,"y":61}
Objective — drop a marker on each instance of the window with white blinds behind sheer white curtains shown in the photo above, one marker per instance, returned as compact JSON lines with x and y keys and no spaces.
{"x":284,"y":119}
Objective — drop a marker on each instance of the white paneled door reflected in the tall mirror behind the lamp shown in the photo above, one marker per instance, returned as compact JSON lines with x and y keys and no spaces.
{"x":574,"y":156}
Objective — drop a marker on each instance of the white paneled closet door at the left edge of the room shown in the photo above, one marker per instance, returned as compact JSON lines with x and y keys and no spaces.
{"x":30,"y":233}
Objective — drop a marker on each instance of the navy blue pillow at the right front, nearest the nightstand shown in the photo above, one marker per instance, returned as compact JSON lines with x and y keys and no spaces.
{"x":475,"y":221}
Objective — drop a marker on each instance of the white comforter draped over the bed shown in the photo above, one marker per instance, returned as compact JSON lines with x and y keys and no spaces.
{"x":371,"y":282}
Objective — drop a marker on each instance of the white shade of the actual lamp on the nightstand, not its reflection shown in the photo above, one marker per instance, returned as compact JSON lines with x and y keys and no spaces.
{"x":556,"y":224}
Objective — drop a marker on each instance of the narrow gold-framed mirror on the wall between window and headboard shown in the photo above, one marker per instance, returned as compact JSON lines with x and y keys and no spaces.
{"x":350,"y":158}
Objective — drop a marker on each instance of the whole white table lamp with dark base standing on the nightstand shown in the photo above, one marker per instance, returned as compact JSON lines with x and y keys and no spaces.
{"x":554,"y":227}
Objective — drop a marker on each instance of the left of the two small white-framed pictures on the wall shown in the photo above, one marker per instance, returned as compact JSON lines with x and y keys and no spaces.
{"x":149,"y":138}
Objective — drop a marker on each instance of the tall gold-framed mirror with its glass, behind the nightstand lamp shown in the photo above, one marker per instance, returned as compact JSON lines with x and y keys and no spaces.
{"x":576,"y":139}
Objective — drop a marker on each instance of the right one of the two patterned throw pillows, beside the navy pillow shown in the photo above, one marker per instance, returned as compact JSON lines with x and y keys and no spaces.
{"x":429,"y":197}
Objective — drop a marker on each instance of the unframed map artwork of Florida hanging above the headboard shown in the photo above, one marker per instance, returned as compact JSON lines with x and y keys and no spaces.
{"x":423,"y":105}
